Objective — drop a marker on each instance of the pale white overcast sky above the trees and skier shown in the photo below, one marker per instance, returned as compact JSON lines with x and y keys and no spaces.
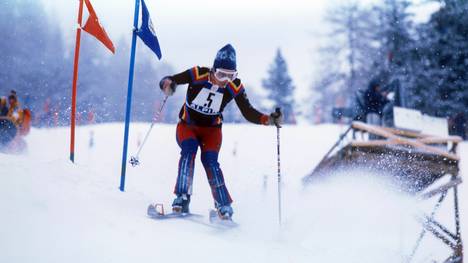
{"x":191,"y":32}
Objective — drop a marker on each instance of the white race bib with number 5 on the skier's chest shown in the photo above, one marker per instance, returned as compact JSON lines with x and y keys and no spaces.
{"x":207,"y":102}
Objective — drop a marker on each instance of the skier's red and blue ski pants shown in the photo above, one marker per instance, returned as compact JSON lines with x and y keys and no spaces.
{"x":209,"y":139}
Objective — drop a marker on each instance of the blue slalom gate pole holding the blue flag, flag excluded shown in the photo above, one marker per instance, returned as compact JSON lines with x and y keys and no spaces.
{"x":129,"y":96}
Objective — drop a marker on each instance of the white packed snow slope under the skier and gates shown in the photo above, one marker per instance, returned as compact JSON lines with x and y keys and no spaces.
{"x":55,"y":211}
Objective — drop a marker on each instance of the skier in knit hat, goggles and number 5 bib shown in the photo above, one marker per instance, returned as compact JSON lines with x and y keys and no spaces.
{"x":200,"y":120}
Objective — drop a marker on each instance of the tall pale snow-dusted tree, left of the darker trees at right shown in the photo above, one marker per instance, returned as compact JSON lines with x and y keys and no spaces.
{"x":347,"y":60}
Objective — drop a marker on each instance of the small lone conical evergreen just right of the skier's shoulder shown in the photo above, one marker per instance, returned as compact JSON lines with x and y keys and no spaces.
{"x":280,"y":87}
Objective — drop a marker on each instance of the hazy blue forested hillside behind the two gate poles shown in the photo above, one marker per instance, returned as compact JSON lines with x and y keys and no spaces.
{"x":37,"y":64}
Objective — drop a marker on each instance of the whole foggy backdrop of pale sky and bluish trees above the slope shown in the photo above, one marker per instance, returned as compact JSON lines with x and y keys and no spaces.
{"x":327,"y":50}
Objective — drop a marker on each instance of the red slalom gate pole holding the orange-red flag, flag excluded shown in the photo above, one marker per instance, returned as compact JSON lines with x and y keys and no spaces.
{"x":74,"y":84}
